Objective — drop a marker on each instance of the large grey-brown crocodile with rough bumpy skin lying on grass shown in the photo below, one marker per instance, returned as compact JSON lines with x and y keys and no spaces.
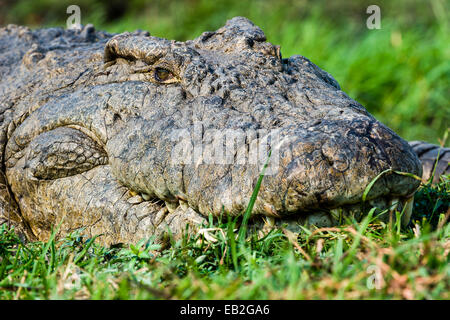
{"x":89,"y":124}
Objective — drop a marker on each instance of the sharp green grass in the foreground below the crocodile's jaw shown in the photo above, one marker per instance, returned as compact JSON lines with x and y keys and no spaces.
{"x":365,"y":260}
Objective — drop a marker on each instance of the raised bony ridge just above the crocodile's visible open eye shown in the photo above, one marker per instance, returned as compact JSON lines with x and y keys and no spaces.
{"x":134,"y":47}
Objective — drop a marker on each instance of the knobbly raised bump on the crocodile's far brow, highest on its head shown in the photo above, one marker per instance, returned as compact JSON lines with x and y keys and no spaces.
{"x":237,"y":35}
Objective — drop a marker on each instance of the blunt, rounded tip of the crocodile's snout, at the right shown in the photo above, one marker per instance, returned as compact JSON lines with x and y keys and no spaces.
{"x":332,"y":167}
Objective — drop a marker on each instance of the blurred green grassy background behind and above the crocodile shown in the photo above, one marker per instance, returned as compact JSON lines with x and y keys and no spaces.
{"x":400,"y":73}
